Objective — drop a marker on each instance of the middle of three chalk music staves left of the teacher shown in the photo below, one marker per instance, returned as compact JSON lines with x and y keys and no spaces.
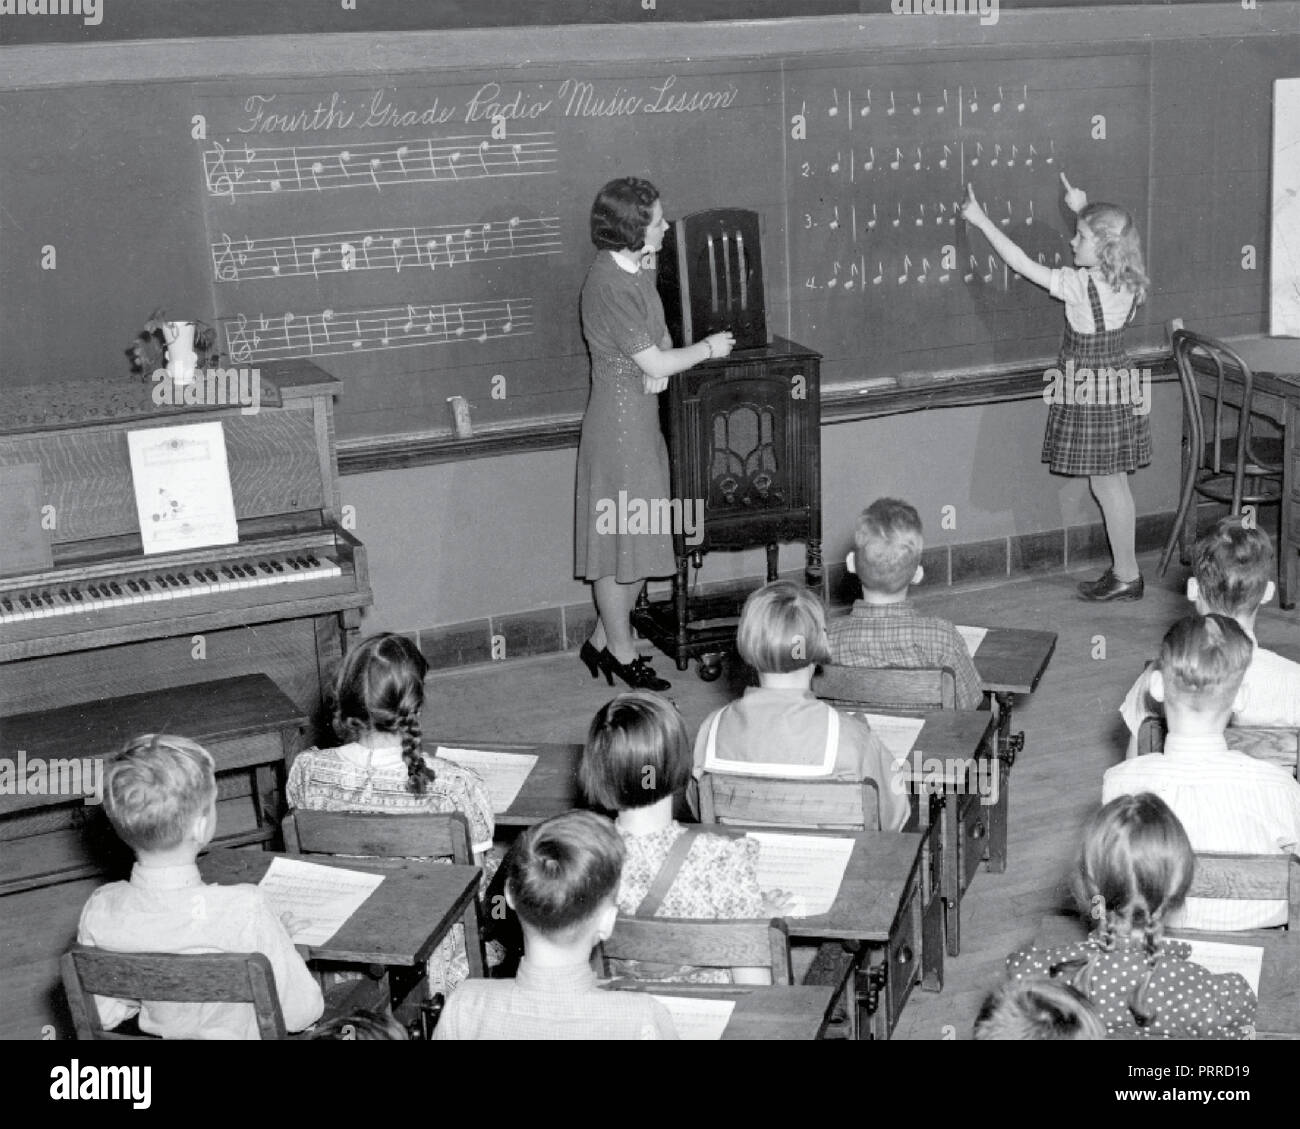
{"x":384,"y":249}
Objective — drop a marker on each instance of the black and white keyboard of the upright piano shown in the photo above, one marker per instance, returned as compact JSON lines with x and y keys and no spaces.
{"x":154,"y":586}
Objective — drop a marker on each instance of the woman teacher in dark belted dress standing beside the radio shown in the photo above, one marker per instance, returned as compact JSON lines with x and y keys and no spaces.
{"x":622,"y":457}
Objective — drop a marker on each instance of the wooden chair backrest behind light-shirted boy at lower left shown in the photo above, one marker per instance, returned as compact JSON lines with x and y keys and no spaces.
{"x":164,"y":977}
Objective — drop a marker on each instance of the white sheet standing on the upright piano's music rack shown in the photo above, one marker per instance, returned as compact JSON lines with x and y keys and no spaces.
{"x":183,"y":487}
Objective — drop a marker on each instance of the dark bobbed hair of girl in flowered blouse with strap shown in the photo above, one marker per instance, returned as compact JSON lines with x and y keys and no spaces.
{"x":638,"y":752}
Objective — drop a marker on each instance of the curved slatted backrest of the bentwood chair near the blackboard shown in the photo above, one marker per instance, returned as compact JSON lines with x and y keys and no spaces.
{"x":1219,"y":360}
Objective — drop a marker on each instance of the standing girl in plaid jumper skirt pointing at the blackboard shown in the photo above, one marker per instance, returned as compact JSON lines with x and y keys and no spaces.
{"x":1107,"y":436}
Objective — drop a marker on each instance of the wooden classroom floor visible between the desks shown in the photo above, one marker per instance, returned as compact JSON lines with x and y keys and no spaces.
{"x":1072,"y":736}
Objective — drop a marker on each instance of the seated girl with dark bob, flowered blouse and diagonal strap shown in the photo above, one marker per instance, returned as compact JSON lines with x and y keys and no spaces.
{"x":636,"y":763}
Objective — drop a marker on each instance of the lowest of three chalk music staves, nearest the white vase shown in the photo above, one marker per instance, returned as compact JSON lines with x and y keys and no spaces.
{"x":333,"y":332}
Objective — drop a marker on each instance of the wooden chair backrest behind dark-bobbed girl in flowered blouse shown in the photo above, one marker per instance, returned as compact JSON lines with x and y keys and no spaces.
{"x":674,"y":941}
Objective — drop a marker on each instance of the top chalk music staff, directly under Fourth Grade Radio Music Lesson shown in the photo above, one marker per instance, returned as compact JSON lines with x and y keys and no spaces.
{"x":248,"y":171}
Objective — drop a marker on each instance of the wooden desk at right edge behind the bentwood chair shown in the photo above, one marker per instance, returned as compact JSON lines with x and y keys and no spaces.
{"x":1276,"y":365}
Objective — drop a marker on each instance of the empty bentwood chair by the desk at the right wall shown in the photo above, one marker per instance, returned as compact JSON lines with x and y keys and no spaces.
{"x":1221,"y":460}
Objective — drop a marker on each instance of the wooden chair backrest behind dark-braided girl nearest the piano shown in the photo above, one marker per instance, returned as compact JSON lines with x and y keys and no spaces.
{"x":436,"y":836}
